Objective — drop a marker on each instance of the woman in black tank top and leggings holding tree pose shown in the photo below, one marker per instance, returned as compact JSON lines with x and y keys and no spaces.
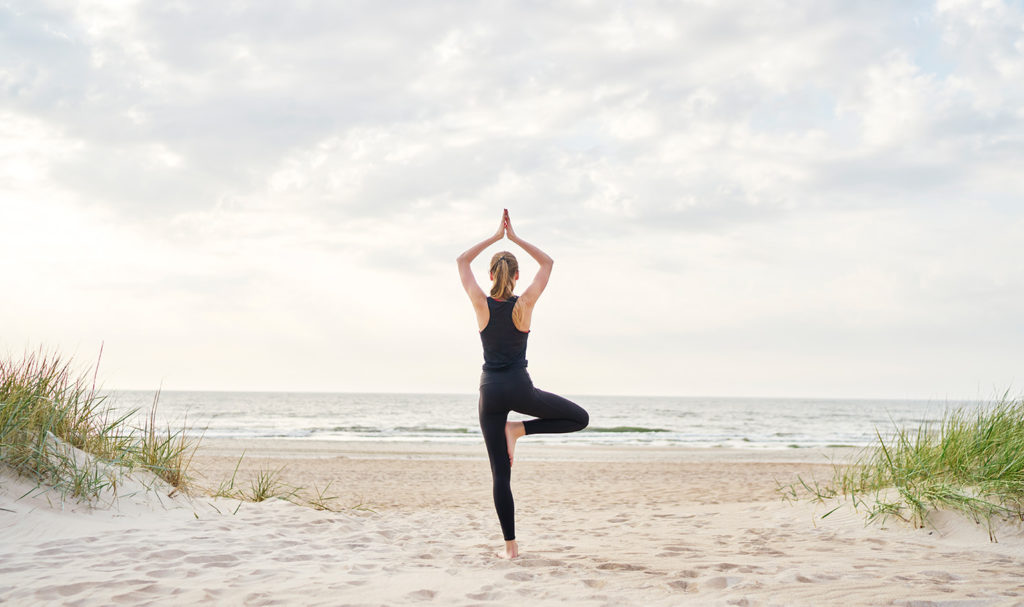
{"x":504,"y":323}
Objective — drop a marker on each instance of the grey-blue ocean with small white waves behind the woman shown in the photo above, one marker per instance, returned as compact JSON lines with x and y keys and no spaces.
{"x":657,"y":421}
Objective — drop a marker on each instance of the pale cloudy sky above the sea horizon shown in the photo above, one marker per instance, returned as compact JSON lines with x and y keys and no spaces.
{"x":816,"y":198}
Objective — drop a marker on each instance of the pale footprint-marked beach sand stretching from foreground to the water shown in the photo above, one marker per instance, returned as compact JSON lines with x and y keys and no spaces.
{"x":596,"y":526}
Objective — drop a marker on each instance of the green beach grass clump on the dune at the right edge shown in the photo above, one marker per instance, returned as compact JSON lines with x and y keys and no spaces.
{"x":971,"y":461}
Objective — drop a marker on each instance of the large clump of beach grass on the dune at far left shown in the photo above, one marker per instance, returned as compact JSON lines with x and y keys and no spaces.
{"x":57,"y":429}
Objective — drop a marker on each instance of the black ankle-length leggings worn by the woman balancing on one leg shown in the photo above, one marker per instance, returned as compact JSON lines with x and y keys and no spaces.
{"x":514,"y":392}
